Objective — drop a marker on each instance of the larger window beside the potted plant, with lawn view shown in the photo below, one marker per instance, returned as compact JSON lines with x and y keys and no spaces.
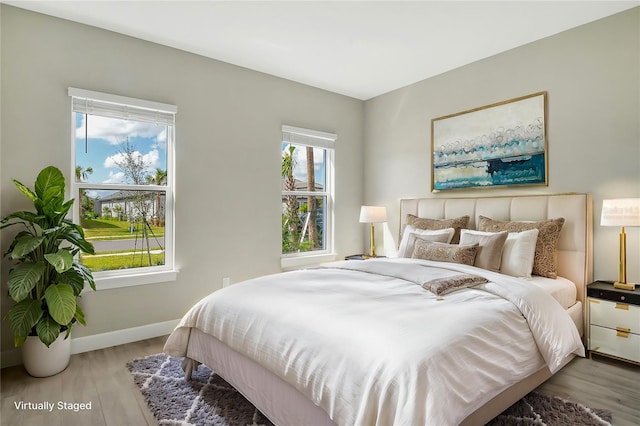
{"x":122,"y":158}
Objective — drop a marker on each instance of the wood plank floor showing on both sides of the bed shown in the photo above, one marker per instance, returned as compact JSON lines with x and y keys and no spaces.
{"x":100,"y":377}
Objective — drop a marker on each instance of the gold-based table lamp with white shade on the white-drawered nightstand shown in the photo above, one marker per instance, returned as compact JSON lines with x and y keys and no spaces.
{"x":621,"y":212}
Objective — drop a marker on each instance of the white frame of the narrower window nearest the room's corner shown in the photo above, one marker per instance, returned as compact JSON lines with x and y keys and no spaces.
{"x":326,"y":141}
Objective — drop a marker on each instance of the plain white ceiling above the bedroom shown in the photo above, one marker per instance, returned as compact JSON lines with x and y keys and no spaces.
{"x":357,"y":48}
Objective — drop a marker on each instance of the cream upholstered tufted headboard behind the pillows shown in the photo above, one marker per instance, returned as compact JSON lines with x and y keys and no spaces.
{"x":575,"y":246}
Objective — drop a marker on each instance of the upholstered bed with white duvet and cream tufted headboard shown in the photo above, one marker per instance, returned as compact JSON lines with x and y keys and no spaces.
{"x":364,"y":342}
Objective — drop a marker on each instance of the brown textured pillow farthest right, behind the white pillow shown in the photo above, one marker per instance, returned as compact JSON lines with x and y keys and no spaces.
{"x":546,"y":259}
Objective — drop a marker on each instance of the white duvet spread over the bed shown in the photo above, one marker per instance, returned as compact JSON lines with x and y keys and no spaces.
{"x":365,"y":342}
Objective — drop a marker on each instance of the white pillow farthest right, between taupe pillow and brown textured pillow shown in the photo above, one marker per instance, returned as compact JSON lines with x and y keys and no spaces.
{"x":518,"y":253}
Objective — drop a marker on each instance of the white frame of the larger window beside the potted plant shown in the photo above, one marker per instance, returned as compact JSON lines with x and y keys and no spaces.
{"x":143,"y":275}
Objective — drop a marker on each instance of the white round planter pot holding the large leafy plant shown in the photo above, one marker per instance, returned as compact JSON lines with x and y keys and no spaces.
{"x":40,"y":361}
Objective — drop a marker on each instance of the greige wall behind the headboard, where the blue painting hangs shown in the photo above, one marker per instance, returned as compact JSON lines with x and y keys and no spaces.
{"x":591,"y":74}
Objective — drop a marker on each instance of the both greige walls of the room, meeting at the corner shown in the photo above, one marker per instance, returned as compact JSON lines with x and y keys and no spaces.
{"x":229,"y":119}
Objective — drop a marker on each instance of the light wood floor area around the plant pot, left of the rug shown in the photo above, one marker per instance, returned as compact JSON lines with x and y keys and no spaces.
{"x":99,"y":377}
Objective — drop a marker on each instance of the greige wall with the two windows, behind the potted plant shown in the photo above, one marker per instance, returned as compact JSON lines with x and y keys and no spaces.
{"x":228,"y":131}
